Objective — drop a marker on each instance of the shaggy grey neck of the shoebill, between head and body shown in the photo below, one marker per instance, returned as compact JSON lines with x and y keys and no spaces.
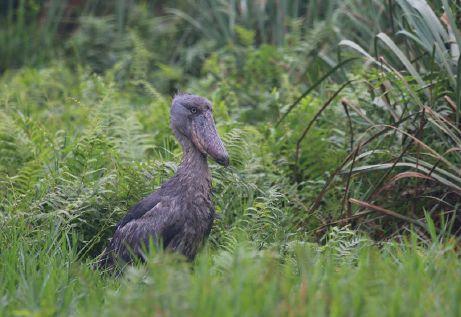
{"x":193,"y":170}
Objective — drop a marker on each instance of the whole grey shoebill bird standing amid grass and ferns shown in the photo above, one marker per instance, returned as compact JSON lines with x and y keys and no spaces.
{"x":180,"y":214}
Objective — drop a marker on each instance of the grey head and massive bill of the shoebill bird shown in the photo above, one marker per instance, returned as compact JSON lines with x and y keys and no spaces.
{"x":192,"y":118}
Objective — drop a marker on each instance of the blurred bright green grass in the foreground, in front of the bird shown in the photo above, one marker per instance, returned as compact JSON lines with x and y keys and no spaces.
{"x":348,"y":276}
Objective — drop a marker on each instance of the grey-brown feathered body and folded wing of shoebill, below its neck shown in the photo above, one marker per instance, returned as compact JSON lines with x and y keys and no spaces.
{"x":173,"y":217}
